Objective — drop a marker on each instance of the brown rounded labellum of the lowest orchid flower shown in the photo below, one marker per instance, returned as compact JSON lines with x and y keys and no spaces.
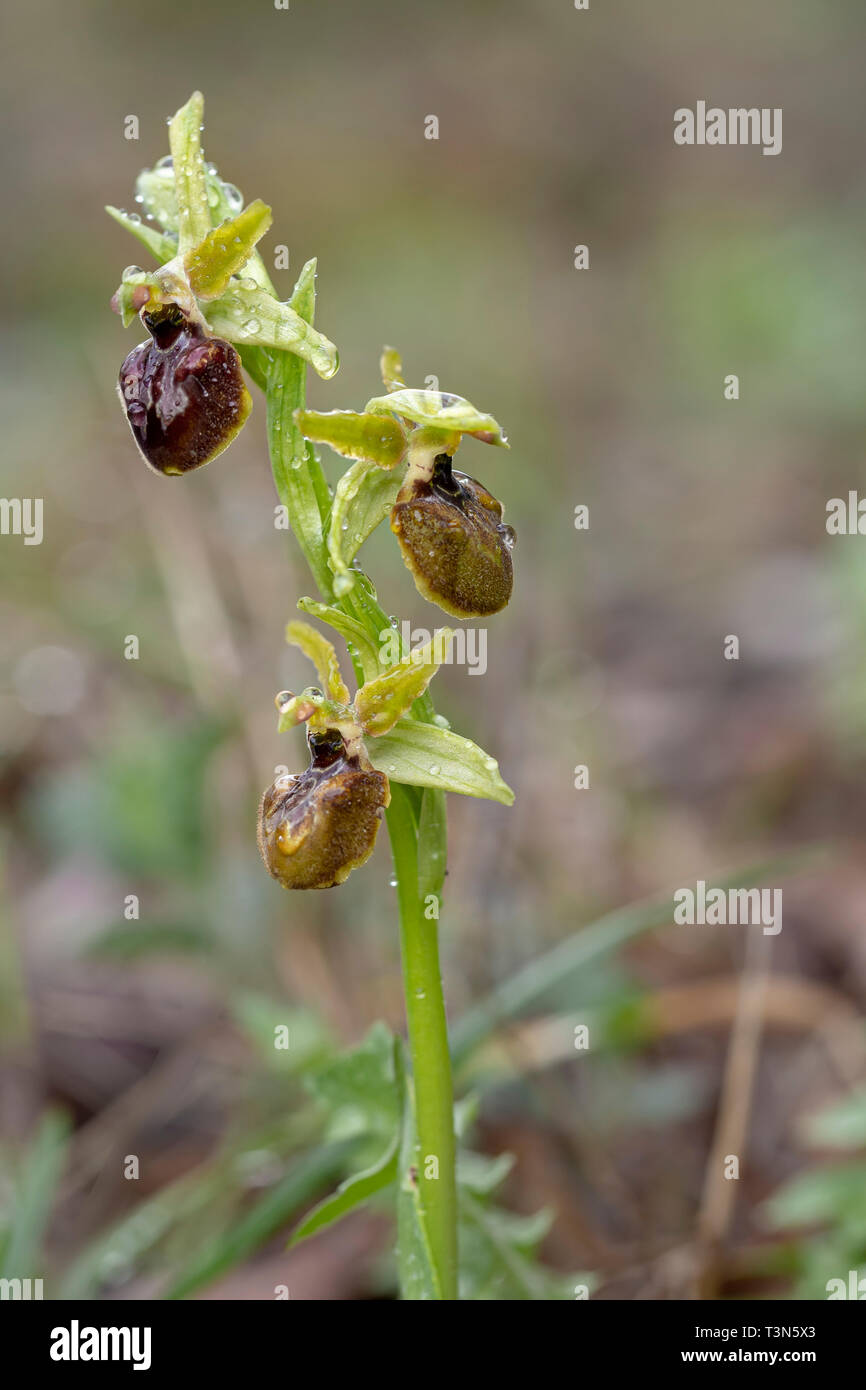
{"x":318,"y":828}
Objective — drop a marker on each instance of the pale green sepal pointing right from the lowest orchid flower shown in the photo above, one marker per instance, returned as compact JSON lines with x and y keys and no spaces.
{"x":426,"y":755}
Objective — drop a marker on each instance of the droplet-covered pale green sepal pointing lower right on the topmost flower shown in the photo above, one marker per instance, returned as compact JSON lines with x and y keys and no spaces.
{"x":250,"y":315}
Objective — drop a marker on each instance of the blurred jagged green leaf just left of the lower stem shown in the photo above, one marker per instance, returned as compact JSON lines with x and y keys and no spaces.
{"x":361,"y":1088}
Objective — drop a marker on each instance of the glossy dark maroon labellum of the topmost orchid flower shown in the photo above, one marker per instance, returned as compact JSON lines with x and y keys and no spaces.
{"x":184,"y":394}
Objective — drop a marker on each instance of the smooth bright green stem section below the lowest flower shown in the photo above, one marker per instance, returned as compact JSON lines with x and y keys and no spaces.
{"x":429,"y":1049}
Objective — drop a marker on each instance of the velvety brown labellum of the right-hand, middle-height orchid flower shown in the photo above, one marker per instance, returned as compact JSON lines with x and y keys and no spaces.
{"x":454,"y":541}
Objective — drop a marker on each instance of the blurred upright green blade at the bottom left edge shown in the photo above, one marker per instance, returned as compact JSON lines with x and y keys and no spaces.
{"x":34,"y":1193}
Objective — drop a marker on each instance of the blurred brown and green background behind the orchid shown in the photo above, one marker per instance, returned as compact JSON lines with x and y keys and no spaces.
{"x":123,"y":778}
